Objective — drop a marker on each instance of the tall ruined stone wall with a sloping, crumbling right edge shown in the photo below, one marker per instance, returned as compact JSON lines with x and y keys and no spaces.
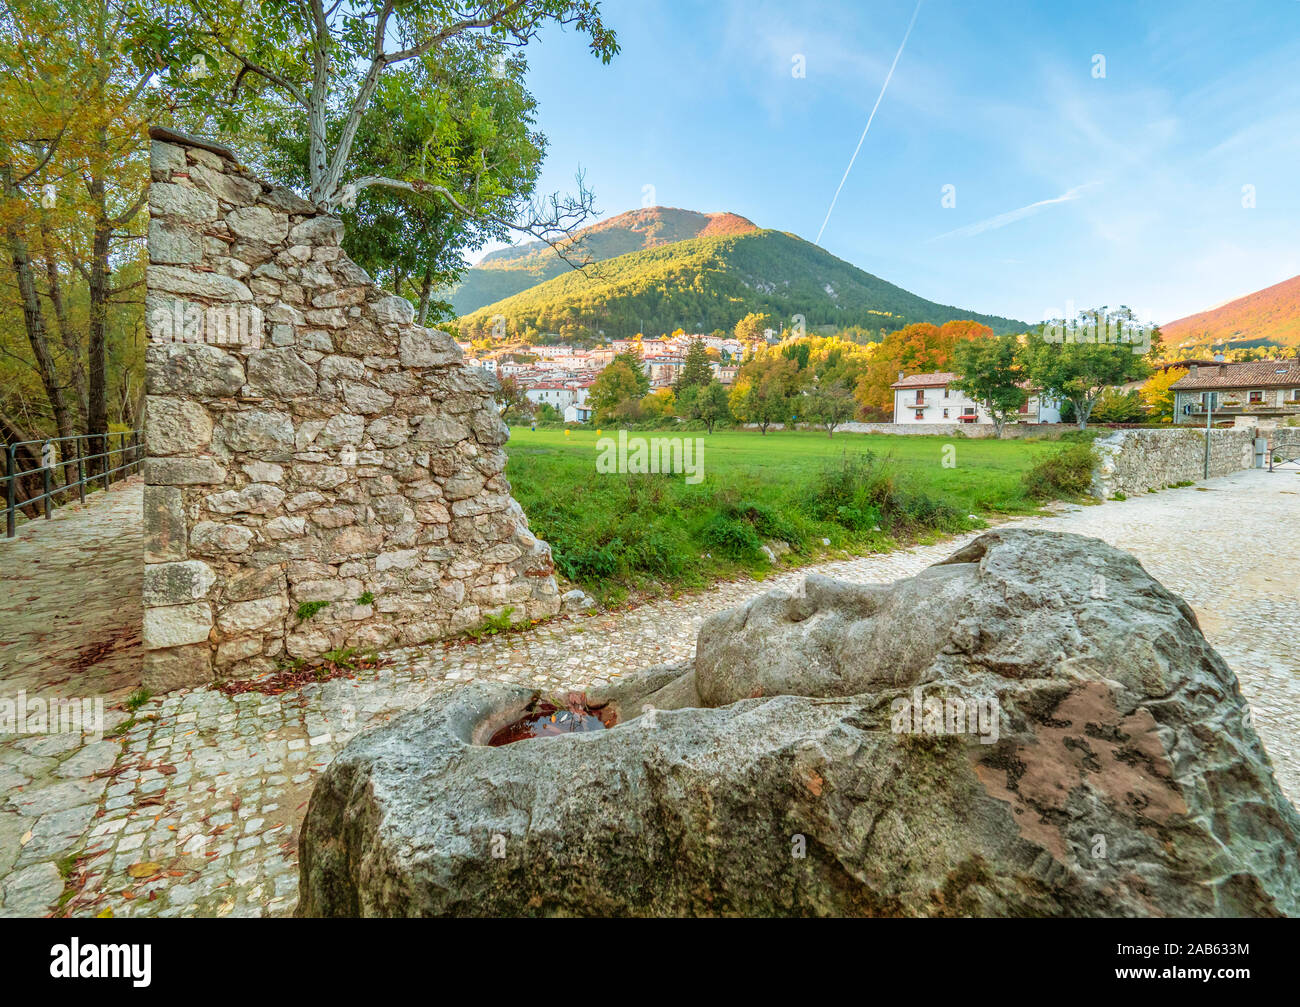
{"x":307,"y":442}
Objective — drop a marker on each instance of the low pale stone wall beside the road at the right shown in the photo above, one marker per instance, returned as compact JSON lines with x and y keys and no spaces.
{"x":1139,"y":461}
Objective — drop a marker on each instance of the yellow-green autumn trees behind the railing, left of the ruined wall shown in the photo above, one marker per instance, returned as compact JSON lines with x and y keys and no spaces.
{"x":73,"y":180}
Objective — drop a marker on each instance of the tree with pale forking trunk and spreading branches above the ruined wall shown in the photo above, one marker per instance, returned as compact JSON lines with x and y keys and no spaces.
{"x":315,"y":67}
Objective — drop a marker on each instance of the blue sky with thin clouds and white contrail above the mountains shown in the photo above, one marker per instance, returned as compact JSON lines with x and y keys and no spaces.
{"x":1071,"y":189}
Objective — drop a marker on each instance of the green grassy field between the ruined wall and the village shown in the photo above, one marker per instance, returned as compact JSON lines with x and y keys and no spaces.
{"x":853,"y":493}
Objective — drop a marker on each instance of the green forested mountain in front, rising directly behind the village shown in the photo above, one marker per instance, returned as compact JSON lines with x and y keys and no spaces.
{"x":705,"y":284}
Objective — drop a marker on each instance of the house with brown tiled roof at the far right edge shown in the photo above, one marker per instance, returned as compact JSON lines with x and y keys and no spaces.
{"x":1260,"y":393}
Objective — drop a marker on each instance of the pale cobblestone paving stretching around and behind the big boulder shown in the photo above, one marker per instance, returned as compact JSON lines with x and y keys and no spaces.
{"x":196,"y":810}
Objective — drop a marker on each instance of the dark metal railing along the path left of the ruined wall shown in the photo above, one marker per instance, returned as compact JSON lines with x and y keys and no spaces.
{"x":129,"y":453}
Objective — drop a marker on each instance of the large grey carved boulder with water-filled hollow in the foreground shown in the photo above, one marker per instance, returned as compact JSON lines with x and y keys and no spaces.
{"x":1034,"y":727}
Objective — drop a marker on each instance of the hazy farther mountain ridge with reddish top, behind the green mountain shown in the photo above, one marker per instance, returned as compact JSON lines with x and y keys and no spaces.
{"x":512,"y":271}
